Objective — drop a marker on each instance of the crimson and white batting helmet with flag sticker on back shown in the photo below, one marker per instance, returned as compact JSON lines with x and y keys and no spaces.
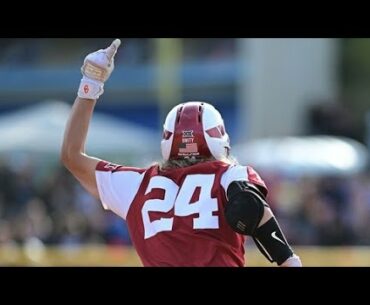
{"x":194,"y":129}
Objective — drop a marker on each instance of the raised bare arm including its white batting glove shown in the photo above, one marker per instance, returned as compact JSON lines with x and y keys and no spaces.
{"x":96,"y":70}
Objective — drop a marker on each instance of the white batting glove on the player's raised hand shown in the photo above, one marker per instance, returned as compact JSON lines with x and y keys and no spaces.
{"x":96,"y":70}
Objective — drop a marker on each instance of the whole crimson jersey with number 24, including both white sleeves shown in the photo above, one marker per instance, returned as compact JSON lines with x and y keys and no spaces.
{"x":175,"y":217}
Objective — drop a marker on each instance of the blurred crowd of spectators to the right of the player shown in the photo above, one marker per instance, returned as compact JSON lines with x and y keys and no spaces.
{"x":322,"y":210}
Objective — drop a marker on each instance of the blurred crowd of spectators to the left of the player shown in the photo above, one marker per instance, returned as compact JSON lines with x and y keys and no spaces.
{"x":57,"y":211}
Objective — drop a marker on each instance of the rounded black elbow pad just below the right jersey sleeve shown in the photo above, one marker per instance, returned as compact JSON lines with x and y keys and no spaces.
{"x":244,"y":210}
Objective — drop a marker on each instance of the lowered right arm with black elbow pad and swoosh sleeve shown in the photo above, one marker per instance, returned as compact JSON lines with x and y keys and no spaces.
{"x":248,"y":213}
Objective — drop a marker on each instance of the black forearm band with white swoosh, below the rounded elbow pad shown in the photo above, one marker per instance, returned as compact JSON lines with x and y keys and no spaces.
{"x":272,"y":243}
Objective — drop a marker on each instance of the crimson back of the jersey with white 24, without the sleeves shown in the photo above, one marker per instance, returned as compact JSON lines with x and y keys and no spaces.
{"x":177,"y":218}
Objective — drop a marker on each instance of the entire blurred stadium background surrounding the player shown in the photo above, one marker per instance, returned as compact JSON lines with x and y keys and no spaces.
{"x":297,"y":110}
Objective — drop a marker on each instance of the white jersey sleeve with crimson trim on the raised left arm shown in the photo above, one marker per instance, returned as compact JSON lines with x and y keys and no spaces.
{"x":118,"y":186}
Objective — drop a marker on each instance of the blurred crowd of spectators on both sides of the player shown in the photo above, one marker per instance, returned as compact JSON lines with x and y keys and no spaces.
{"x":58,"y":211}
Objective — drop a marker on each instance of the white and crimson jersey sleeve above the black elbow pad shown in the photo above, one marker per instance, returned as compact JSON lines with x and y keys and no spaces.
{"x":243,"y":173}
